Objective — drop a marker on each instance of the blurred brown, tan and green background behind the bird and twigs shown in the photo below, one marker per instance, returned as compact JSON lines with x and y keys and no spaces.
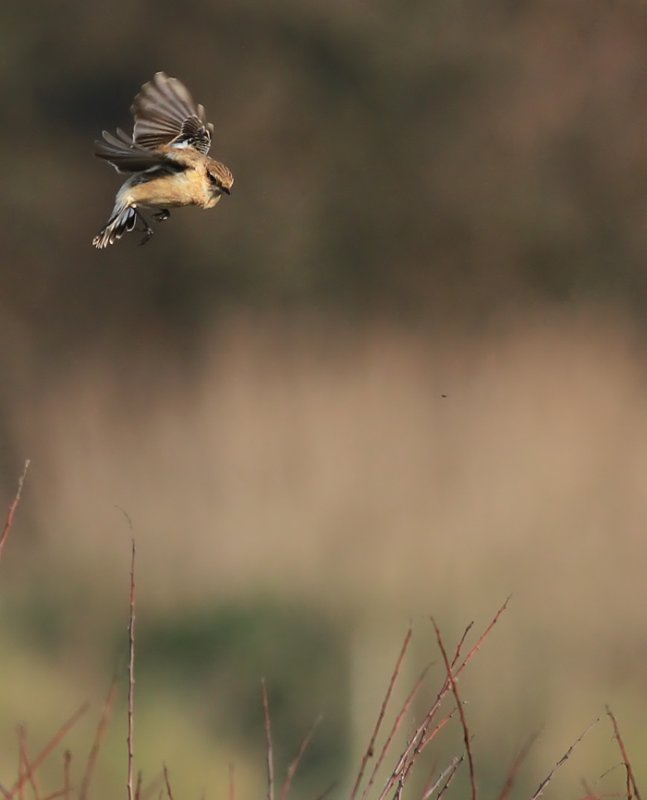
{"x":399,"y":372}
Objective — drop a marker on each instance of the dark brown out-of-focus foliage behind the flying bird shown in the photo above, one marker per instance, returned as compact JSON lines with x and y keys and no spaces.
{"x":429,"y":159}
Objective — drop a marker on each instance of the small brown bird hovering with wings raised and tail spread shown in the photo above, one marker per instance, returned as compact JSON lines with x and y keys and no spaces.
{"x":167,"y":156}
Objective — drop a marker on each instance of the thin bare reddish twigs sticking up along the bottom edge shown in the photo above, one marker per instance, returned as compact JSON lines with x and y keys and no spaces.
{"x":378,"y":750}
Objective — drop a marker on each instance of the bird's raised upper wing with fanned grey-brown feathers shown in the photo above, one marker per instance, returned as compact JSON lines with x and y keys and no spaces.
{"x":165,"y":114}
